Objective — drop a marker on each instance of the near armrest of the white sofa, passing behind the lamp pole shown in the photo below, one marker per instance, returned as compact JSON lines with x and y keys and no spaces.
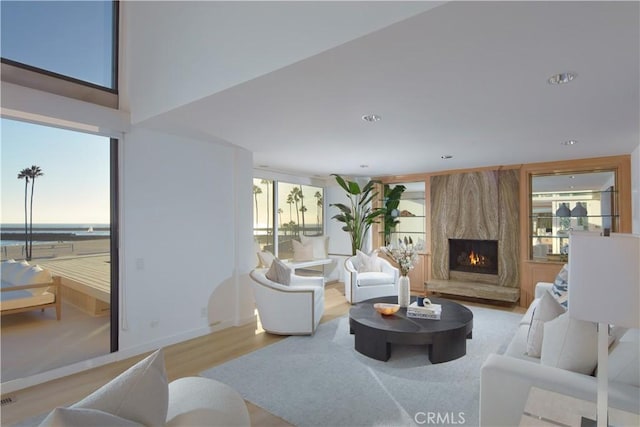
{"x":505,"y":383}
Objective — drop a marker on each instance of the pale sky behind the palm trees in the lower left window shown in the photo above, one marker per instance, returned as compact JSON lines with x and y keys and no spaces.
{"x":75,"y":187}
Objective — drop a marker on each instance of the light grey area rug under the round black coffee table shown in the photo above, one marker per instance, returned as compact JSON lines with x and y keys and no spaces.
{"x":321,"y":380}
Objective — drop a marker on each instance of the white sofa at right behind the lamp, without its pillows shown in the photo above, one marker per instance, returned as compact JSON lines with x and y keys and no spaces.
{"x":506,"y":379}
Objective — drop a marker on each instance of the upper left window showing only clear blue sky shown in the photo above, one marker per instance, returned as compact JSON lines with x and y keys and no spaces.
{"x":75,"y":39}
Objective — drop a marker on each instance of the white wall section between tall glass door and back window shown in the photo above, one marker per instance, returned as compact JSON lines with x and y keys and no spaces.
{"x":184,"y":237}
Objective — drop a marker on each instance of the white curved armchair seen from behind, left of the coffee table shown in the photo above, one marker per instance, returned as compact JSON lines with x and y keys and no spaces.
{"x":295,"y":309}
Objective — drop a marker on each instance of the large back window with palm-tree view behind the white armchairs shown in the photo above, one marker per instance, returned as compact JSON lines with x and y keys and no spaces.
{"x":299,"y":211}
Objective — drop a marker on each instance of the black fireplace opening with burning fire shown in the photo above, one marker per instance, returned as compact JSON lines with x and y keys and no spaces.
{"x":473,"y":256}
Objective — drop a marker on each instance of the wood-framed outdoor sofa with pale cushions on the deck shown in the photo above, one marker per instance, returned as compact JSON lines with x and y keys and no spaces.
{"x":28,"y":287}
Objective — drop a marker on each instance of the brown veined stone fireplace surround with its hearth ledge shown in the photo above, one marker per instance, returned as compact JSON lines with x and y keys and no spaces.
{"x":482,"y":205}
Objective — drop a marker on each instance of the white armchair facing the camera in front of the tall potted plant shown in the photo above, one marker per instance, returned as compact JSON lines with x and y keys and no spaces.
{"x":371,"y":284}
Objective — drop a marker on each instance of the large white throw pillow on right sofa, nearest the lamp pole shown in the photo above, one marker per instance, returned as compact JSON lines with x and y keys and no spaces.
{"x":570,"y":344}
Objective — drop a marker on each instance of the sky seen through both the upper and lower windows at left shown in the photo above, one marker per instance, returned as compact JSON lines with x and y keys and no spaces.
{"x":71,"y":38}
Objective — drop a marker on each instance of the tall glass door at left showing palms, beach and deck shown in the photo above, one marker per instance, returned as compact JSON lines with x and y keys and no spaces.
{"x":62,"y":219}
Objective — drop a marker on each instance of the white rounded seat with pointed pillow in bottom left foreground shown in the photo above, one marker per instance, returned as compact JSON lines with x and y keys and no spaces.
{"x":142,"y":396}
